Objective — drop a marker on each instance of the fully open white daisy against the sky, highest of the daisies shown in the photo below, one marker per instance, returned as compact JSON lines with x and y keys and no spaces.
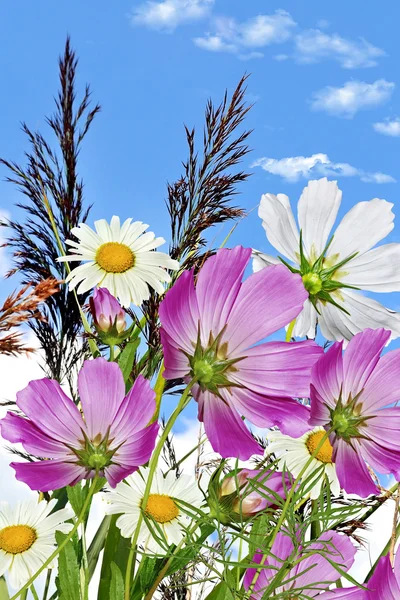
{"x":121,"y":258}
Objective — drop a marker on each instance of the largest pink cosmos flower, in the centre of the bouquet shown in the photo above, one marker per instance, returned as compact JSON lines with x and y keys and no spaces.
{"x":209,"y":331}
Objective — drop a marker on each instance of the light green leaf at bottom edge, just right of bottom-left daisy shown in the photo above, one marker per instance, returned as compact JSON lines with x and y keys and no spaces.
{"x":68,"y":580}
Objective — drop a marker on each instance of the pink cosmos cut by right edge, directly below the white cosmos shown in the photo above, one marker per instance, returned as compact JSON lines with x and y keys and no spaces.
{"x":354,"y":394}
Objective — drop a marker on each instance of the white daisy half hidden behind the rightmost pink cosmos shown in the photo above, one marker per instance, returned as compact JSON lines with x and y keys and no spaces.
{"x":296,"y":452}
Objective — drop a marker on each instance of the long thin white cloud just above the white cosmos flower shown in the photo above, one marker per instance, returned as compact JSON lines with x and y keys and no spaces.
{"x":293,"y":168}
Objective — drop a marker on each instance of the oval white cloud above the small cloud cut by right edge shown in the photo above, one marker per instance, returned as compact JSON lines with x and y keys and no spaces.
{"x":346,"y":101}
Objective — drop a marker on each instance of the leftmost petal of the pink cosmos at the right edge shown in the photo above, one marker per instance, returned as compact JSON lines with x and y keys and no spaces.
{"x":326,"y":383}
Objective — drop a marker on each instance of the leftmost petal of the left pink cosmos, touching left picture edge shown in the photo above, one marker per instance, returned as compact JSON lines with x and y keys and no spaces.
{"x":19,"y":430}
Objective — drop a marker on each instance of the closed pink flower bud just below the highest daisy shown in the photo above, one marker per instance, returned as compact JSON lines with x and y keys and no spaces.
{"x":108,"y":315}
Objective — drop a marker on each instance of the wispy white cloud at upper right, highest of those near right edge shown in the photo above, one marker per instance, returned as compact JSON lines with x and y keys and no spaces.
{"x":313,"y":45}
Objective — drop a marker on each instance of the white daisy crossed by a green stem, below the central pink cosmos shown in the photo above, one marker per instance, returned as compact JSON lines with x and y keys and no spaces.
{"x":166,"y":507}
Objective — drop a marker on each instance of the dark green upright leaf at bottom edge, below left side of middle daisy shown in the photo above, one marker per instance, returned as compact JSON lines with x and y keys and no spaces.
{"x":116,"y":550}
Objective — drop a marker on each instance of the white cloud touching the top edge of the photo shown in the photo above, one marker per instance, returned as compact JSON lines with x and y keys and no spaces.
{"x":169,"y":14}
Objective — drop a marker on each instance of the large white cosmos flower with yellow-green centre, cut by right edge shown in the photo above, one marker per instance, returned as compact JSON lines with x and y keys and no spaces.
{"x":348,"y":258}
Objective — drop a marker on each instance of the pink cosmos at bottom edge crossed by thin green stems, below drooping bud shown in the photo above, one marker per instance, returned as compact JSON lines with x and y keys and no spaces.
{"x":312,"y":576}
